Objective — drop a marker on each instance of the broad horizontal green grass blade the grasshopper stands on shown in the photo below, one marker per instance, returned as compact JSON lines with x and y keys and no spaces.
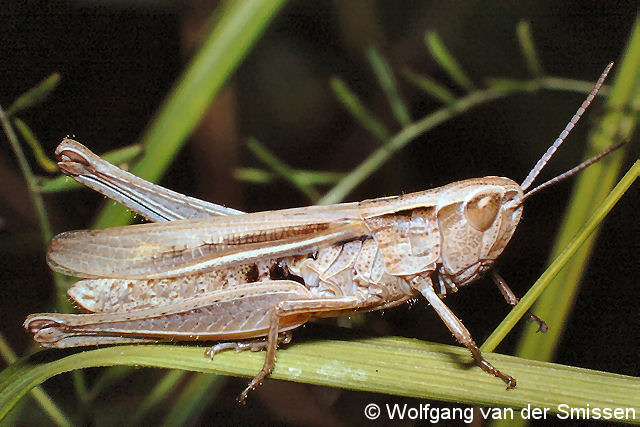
{"x":427,"y":370}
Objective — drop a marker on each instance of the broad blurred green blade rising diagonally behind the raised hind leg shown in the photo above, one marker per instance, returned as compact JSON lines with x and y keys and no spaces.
{"x":239,"y":26}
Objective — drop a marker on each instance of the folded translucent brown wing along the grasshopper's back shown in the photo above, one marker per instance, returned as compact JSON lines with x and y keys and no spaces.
{"x":177,"y":248}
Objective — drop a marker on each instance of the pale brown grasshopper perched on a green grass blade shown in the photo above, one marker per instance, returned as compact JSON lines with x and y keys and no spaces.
{"x":205,"y":272}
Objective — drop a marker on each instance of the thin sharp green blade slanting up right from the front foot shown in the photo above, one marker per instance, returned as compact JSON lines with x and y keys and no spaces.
{"x":536,"y":290}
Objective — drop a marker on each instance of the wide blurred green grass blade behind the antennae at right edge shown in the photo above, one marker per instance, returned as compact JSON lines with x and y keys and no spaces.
{"x":591,"y":188}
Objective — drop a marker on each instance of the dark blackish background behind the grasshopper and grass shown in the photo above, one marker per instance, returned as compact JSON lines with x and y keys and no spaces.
{"x":118,"y":61}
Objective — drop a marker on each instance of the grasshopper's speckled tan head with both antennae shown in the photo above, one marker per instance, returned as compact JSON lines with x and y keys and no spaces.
{"x":477,"y":217}
